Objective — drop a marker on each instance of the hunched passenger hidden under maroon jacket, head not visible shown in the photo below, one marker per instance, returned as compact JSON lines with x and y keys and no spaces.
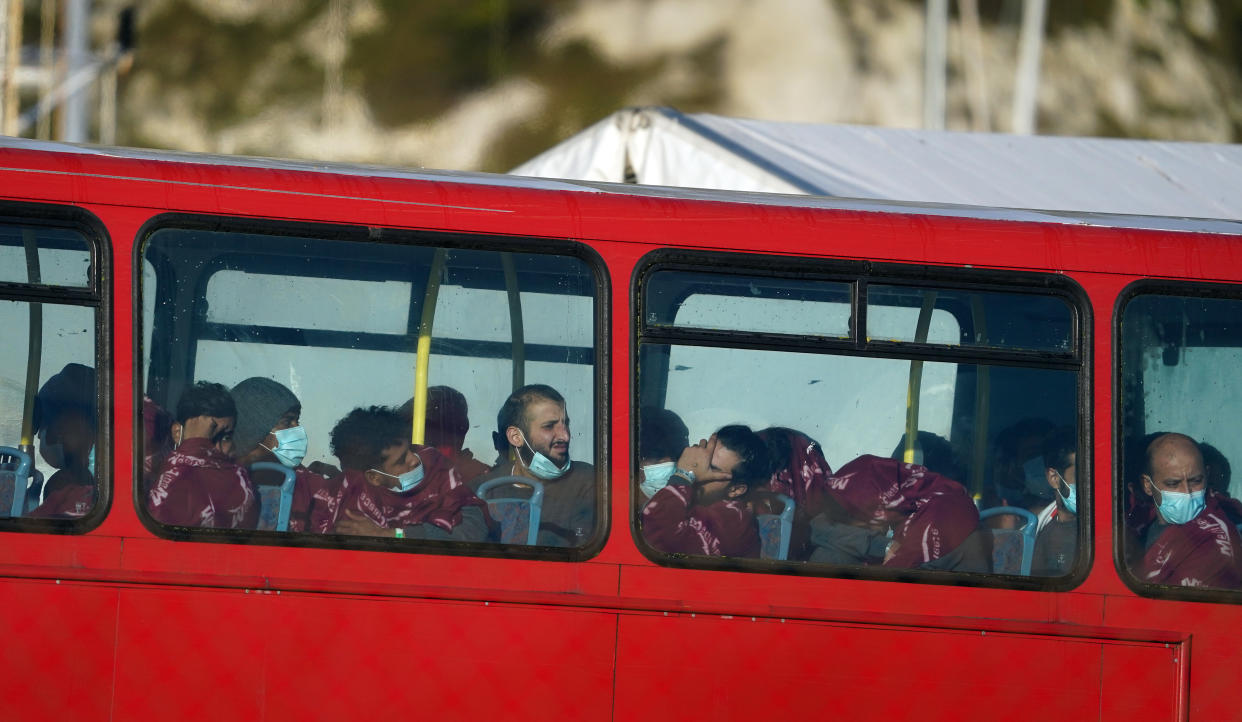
{"x":935,"y":523}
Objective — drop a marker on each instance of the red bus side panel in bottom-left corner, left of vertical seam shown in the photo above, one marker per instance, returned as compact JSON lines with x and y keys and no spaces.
{"x":57,"y":658}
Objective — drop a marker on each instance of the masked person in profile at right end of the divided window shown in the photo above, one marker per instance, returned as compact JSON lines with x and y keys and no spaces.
{"x":1058,"y":541}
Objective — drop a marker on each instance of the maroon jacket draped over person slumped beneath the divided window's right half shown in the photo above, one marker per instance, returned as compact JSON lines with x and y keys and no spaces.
{"x":931,"y":515}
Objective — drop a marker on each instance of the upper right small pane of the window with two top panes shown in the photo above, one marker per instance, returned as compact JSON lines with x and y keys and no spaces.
{"x":989,"y":320}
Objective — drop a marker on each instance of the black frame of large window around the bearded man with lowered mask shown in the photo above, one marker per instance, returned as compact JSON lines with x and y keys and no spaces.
{"x":419,"y":238}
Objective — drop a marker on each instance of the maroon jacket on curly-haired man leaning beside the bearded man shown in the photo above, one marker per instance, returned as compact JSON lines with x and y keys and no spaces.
{"x":439,"y":499}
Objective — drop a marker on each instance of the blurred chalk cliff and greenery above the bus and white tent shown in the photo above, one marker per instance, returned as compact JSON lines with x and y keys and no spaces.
{"x":485,"y":85}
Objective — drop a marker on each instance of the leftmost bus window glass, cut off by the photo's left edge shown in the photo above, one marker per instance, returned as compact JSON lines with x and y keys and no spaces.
{"x":50,"y":422}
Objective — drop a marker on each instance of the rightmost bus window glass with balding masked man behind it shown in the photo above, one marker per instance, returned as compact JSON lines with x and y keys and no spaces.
{"x":1181,"y":437}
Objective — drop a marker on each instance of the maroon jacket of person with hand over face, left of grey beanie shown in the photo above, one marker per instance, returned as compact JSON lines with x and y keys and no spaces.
{"x":201,"y":487}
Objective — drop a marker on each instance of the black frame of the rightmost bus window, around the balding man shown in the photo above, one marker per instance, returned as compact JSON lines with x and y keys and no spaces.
{"x":1173,"y":289}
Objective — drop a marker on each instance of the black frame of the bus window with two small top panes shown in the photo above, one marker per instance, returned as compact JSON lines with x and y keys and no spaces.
{"x":859,"y":275}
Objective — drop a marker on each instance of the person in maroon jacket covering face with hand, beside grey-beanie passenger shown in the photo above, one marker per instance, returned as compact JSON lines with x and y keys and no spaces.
{"x":199,"y":484}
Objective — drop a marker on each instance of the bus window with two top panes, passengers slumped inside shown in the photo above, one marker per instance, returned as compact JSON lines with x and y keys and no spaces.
{"x":930,"y":446}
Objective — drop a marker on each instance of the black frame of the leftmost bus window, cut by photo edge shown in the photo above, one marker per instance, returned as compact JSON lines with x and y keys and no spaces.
{"x":95,"y":295}
